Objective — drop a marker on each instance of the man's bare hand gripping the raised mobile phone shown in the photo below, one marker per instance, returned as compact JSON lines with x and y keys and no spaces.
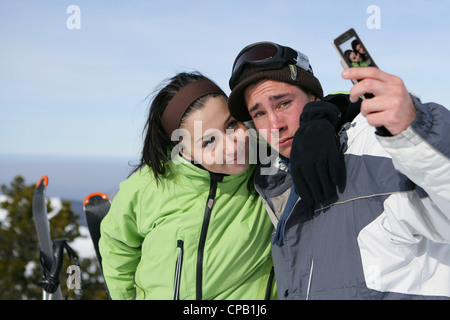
{"x":391,"y":107}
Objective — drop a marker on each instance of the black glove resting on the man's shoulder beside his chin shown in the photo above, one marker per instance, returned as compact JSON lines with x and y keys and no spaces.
{"x":316,"y":160}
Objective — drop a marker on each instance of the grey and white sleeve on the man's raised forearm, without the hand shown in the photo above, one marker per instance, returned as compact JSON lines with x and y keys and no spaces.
{"x":422,"y":152}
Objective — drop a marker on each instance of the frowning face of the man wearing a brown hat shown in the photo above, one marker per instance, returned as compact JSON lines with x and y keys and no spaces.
{"x":275,"y":107}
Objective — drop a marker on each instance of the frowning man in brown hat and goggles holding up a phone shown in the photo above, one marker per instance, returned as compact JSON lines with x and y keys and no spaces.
{"x":373,"y":217}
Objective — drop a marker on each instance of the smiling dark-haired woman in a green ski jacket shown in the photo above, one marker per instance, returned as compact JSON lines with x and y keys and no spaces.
{"x":187,"y":224}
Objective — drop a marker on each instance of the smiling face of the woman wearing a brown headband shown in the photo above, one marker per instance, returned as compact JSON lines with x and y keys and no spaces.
{"x":215,"y":139}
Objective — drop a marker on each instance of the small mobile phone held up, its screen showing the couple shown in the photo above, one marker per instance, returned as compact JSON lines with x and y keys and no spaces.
{"x":352,"y":50}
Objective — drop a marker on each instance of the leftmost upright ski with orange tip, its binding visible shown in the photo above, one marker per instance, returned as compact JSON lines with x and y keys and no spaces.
{"x":51,"y":288}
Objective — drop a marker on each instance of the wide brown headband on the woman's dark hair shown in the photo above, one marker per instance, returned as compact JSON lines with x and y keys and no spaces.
{"x":183,"y":99}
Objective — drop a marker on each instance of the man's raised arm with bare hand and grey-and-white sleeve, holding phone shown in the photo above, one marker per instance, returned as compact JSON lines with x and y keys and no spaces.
{"x":419,"y":147}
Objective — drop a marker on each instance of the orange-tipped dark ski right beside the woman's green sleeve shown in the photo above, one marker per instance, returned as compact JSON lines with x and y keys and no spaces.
{"x":96,"y":206}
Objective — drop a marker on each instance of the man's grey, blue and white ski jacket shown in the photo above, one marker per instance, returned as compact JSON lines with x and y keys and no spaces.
{"x":387,"y":236}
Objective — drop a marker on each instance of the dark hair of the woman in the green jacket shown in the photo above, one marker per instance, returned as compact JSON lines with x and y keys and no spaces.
{"x":155,"y":151}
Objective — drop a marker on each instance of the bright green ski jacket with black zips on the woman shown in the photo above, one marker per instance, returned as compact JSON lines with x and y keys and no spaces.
{"x":192,"y":235}
